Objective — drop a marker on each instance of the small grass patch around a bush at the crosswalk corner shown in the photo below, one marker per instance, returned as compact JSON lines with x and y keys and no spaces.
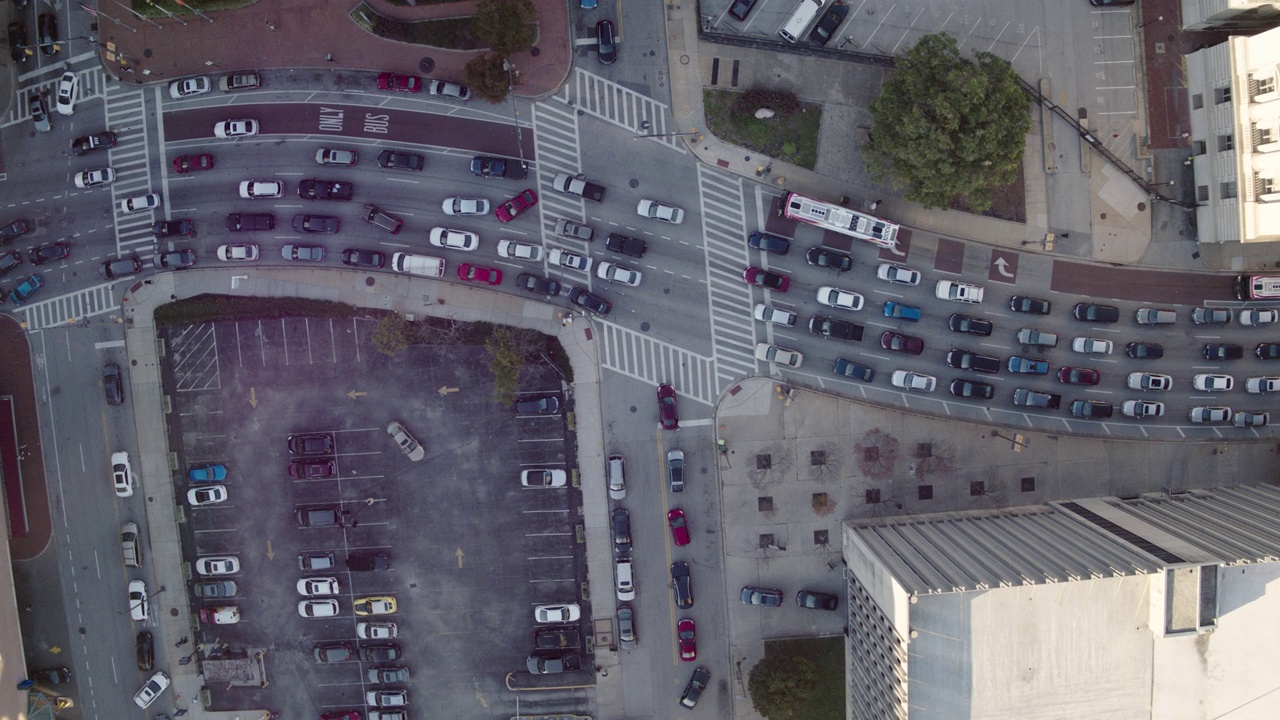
{"x":792,"y":139}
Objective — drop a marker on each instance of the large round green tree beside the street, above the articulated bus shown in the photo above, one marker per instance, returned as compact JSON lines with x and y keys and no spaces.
{"x":945,"y":127}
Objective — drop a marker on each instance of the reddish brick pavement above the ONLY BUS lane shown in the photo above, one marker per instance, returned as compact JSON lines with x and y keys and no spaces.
{"x":301,"y":34}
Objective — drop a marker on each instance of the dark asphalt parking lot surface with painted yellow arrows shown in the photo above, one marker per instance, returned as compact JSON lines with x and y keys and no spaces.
{"x":472,"y":552}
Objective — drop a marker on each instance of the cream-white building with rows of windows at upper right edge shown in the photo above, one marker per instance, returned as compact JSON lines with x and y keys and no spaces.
{"x":1236,"y":139}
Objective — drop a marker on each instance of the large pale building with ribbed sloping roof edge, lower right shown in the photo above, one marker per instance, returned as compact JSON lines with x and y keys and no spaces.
{"x":1151,"y":609}
